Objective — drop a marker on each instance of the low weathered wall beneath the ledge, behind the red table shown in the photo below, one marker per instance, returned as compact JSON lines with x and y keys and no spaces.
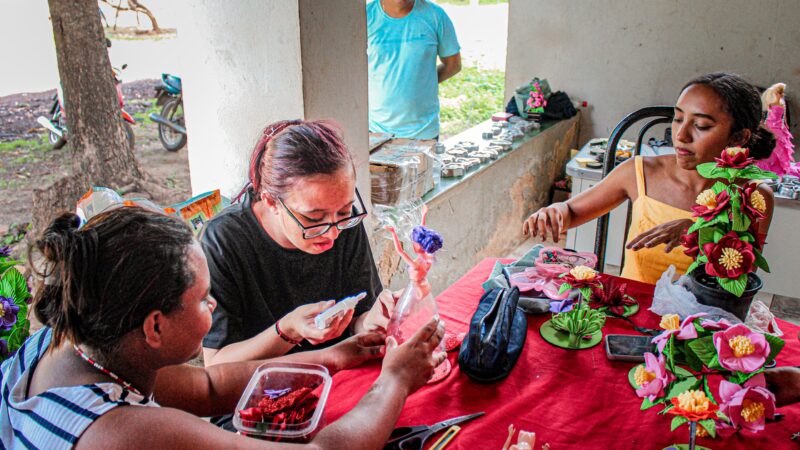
{"x":482,"y":217}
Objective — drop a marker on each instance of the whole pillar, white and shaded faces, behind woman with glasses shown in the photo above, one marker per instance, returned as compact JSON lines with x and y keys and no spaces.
{"x":250,"y":62}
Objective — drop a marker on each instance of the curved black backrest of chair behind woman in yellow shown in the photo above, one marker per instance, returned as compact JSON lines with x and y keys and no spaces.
{"x":654,"y":115}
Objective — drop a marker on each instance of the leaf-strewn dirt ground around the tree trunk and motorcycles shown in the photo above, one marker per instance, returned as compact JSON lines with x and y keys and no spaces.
{"x":28,"y":161}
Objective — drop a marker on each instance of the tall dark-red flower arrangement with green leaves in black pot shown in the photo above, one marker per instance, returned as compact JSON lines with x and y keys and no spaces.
{"x":724,"y":240}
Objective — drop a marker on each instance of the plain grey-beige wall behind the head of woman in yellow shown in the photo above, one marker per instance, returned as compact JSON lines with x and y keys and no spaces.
{"x":621,"y":55}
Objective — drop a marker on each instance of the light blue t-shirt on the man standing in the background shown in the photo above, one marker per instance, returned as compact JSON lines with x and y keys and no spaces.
{"x":403,"y":82}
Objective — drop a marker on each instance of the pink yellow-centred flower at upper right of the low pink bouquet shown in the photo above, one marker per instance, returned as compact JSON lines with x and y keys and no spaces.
{"x":740,"y":349}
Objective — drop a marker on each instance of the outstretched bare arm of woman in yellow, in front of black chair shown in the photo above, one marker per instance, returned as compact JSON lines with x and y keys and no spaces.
{"x":606,"y":195}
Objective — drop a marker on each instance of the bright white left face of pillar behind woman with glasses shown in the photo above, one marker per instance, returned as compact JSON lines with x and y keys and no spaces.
{"x":241,"y":71}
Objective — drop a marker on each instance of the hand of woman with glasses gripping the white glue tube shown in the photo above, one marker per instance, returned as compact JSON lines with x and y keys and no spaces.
{"x":299,"y":324}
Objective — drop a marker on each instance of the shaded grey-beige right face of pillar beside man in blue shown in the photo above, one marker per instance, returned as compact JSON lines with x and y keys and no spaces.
{"x":335,"y":73}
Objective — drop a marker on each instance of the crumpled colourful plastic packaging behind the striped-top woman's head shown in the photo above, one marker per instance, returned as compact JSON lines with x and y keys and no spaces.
{"x":196,"y":211}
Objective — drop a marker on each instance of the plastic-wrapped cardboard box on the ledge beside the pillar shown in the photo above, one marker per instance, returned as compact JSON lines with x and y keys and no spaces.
{"x":402,"y":170}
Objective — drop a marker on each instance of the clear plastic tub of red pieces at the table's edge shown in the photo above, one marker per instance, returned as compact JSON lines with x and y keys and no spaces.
{"x":283,"y":402}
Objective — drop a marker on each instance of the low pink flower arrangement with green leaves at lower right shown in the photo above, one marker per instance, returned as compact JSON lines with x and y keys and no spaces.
{"x":708,"y":348}
